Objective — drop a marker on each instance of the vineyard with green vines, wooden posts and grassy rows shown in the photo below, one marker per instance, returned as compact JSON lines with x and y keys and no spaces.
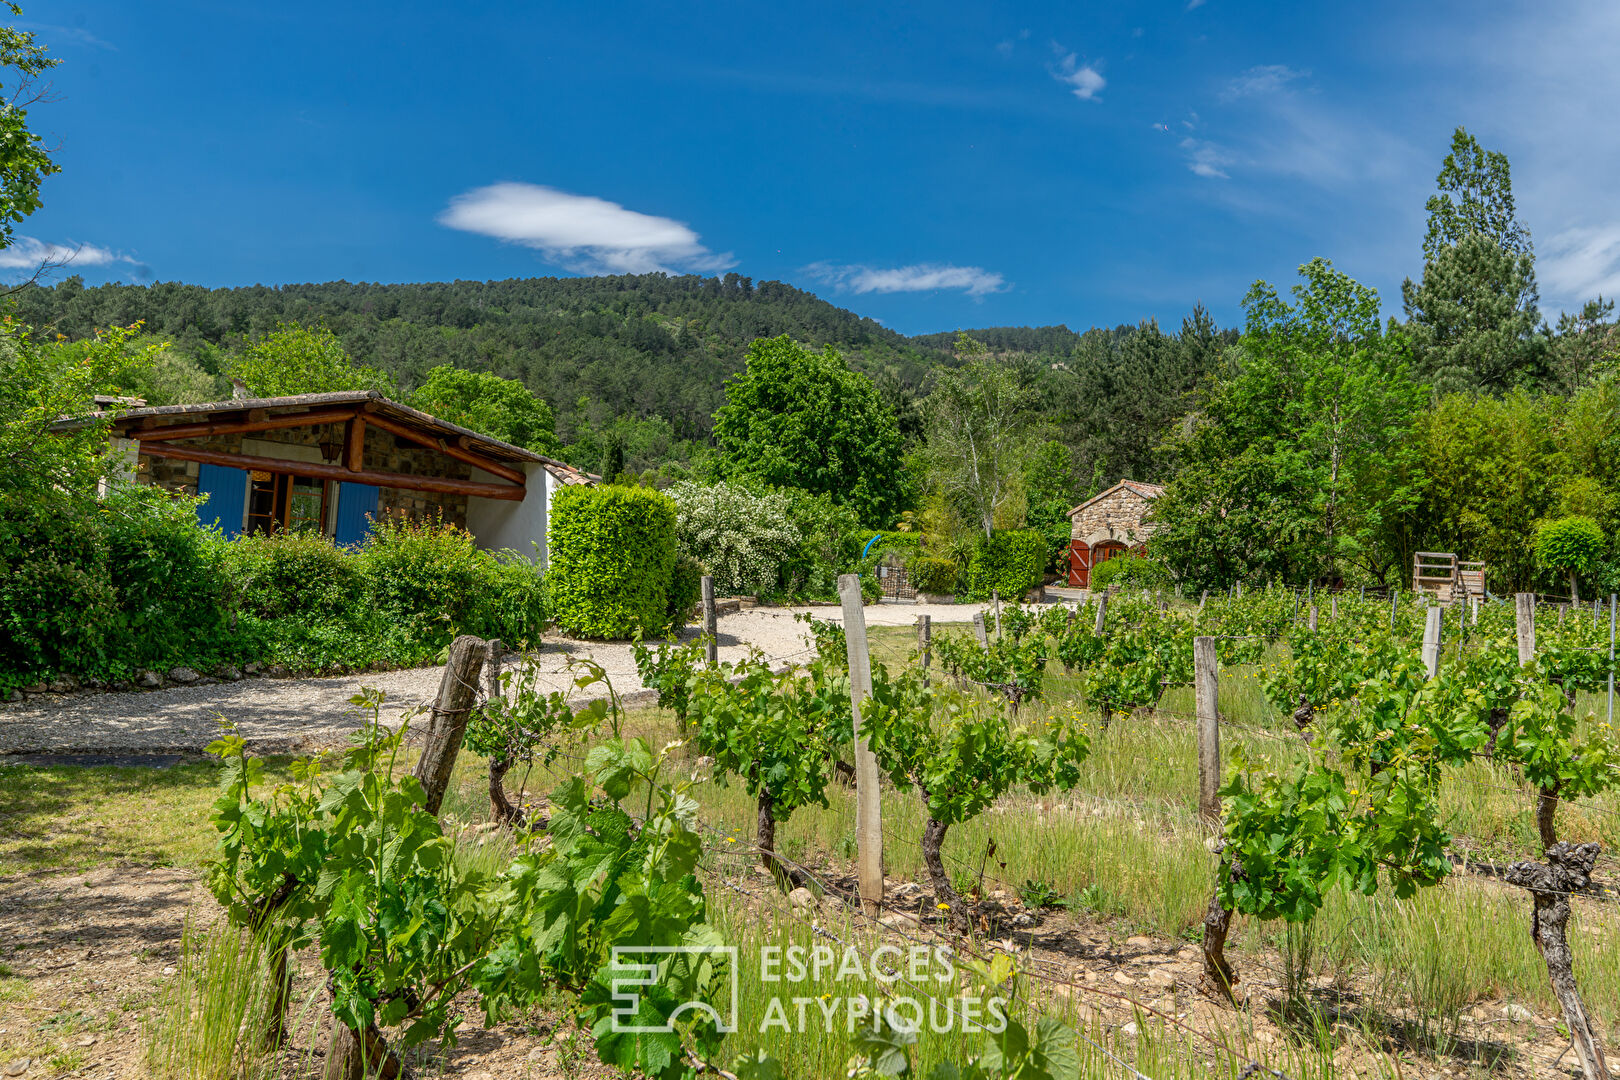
{"x":1413,"y":814}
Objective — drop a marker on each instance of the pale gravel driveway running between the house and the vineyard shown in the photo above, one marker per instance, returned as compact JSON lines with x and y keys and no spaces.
{"x":296,"y":715}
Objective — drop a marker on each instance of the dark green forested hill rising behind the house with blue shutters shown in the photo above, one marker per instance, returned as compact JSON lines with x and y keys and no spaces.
{"x":636,"y":346}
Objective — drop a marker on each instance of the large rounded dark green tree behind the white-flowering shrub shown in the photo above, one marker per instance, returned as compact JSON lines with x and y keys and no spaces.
{"x":798,"y":419}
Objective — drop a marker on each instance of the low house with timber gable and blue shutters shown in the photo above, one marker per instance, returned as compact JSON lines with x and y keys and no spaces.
{"x":336,"y":462}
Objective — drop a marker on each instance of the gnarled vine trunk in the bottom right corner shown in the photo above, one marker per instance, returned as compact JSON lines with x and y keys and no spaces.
{"x":1567,"y":870}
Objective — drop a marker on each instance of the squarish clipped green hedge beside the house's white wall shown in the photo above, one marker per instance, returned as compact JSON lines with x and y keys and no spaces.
{"x":613,"y":559}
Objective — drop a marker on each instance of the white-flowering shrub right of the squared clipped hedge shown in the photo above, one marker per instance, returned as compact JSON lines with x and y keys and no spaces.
{"x":743,"y":538}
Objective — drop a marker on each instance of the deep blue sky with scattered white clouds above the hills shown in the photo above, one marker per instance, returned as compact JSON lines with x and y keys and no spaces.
{"x":934,"y":166}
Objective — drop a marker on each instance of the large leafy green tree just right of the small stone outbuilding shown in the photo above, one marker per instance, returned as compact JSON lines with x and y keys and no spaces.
{"x":1300,"y":462}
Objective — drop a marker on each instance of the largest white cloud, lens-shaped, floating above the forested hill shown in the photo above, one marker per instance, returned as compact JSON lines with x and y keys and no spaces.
{"x":581,"y":232}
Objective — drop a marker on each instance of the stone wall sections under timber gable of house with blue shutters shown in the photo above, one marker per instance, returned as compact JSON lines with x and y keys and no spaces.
{"x":385,"y":454}
